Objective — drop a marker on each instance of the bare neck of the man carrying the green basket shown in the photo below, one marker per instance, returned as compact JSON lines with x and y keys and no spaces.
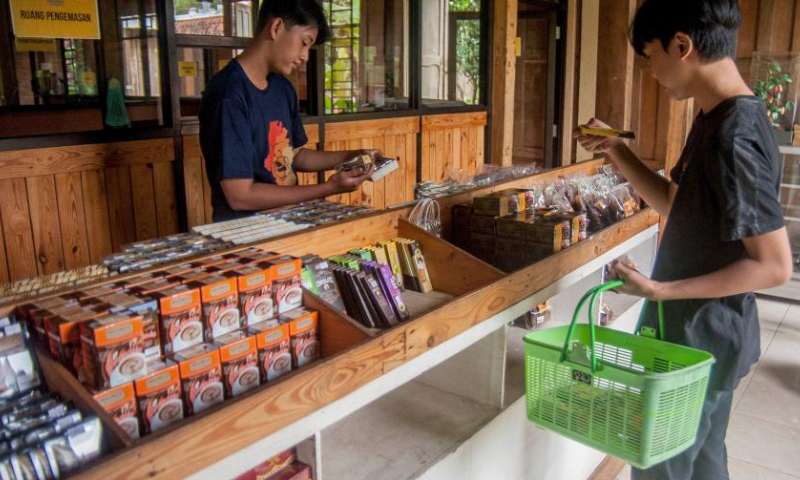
{"x":716,"y":82}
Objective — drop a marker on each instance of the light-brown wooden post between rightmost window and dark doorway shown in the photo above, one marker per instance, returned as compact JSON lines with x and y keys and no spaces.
{"x":503,"y":75}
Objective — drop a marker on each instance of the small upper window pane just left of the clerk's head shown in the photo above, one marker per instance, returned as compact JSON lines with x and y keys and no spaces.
{"x":229,"y":18}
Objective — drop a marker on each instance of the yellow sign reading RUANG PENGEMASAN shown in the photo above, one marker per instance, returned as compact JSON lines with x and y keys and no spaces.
{"x":55,"y":18}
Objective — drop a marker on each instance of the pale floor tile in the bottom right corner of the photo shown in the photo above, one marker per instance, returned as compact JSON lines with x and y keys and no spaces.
{"x":764,"y":443}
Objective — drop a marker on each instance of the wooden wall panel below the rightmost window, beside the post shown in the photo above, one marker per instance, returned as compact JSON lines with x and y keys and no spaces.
{"x":452,"y":145}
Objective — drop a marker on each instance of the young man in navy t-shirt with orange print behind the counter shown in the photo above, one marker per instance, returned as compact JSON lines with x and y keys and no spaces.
{"x":251,"y":133}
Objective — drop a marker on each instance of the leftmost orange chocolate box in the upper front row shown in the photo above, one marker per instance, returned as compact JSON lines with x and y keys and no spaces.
{"x":113,"y":350}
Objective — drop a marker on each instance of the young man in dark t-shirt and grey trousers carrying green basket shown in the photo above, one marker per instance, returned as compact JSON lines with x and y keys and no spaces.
{"x":725,"y":237}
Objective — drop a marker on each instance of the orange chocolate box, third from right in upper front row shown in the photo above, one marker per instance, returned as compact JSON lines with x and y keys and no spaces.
{"x":220,"y":299}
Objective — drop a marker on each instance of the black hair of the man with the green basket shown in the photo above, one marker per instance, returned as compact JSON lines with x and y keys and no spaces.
{"x":712,"y":25}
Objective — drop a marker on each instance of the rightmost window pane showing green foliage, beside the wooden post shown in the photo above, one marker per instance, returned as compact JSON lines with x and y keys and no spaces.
{"x":451,"y":52}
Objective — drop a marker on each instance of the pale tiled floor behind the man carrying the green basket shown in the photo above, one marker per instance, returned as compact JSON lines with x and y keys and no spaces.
{"x":764,"y":434}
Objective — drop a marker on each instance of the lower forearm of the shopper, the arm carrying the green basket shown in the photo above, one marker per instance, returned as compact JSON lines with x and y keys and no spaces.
{"x":746,"y":275}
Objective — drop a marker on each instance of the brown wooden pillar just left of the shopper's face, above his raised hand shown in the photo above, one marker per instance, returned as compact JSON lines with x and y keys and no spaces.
{"x":615,"y":63}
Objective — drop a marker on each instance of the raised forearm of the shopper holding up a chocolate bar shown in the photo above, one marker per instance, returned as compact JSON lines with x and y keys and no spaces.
{"x":651,"y":186}
